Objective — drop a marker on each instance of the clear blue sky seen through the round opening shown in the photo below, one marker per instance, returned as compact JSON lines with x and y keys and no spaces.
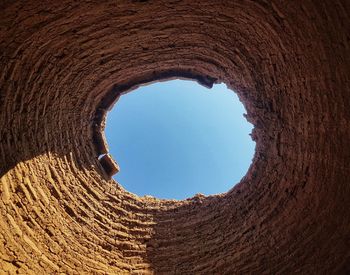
{"x":175,"y":139}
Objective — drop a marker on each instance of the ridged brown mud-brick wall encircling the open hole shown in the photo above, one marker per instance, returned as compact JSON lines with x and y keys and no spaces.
{"x":63,"y":63}
